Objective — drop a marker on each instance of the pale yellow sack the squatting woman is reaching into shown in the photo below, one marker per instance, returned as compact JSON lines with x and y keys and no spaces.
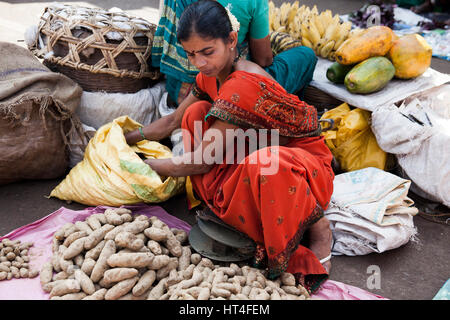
{"x":112,"y":173}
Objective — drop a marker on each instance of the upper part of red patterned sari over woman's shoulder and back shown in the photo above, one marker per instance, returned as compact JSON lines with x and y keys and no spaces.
{"x":253,"y":101}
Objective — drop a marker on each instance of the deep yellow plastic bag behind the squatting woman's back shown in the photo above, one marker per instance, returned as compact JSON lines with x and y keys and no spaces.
{"x":352,"y":142}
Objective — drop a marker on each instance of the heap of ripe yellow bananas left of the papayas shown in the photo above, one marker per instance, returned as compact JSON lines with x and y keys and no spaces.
{"x":323,"y":32}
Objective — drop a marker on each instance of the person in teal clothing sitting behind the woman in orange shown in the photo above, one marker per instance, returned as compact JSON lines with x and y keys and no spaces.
{"x":292,"y":68}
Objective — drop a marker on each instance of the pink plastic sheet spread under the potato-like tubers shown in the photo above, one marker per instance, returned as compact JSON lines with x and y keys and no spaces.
{"x":41,"y":232}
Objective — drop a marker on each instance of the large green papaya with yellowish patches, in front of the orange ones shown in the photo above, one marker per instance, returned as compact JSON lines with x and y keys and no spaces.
{"x":369,"y":76}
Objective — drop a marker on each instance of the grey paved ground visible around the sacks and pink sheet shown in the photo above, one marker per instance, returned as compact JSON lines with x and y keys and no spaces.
{"x":415,"y":271}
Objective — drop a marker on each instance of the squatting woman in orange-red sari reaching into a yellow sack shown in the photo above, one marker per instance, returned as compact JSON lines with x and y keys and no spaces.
{"x":274,"y":193}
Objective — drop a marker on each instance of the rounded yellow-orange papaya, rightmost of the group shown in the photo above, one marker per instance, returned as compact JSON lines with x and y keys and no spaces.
{"x":410,"y":55}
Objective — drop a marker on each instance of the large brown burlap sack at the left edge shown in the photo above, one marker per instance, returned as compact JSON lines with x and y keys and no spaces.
{"x":37,"y":109}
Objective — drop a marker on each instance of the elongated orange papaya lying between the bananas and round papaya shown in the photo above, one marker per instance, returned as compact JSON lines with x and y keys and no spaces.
{"x":372,"y":42}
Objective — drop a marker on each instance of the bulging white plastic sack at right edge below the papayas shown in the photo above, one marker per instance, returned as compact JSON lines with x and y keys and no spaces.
{"x":417,"y":133}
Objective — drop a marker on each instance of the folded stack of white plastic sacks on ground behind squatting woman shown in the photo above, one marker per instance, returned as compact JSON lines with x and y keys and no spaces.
{"x":370,"y":212}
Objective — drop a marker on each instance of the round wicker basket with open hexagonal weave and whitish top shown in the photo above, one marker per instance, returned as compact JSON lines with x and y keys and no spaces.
{"x":100,"y":50}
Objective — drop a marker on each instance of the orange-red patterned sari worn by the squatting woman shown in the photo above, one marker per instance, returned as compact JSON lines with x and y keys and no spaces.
{"x":274,"y":210}
